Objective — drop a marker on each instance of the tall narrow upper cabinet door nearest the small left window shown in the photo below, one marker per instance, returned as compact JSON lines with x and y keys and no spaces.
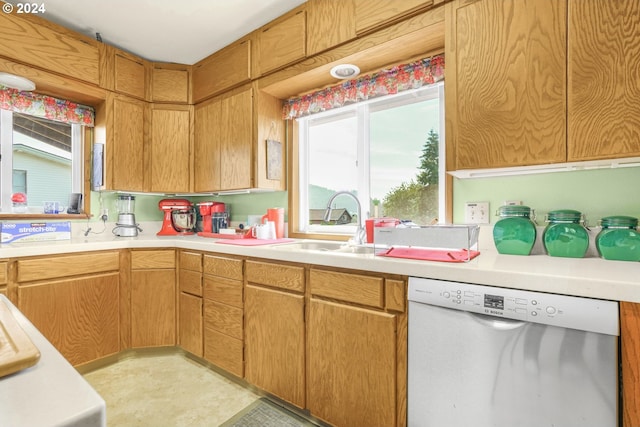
{"x":126,"y":160}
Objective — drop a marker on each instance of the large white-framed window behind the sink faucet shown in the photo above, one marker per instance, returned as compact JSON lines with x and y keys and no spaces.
{"x":388,"y":151}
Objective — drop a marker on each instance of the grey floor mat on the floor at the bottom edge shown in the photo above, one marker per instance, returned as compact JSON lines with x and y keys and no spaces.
{"x":264,"y":413}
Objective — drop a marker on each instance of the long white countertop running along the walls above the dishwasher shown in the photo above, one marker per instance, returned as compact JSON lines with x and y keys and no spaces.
{"x":587,"y":277}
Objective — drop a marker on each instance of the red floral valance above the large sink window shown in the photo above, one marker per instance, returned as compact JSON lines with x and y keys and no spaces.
{"x":386,"y":82}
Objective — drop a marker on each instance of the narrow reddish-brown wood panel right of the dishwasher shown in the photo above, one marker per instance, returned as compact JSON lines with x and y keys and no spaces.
{"x":630,"y":349}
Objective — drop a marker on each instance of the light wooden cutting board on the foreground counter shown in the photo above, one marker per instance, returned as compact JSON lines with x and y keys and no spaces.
{"x":17,"y":352}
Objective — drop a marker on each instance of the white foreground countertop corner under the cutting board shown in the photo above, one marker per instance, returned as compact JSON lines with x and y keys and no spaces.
{"x":50,"y":393}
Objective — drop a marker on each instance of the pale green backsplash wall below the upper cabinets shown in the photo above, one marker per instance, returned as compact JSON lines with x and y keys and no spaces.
{"x":596,"y":193}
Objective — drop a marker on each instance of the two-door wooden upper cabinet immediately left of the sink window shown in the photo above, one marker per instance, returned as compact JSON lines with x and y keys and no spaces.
{"x":230,"y":142}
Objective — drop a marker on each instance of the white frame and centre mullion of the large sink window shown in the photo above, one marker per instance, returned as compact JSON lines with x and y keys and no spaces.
{"x":296,"y":183}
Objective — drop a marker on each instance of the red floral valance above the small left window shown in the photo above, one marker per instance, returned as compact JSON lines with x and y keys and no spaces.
{"x":45,"y":107}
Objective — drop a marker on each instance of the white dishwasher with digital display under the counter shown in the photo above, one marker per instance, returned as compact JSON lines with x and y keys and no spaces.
{"x":483,"y":356}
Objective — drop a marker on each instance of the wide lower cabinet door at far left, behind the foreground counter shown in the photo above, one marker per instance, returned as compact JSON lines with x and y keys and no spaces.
{"x":79,"y":316}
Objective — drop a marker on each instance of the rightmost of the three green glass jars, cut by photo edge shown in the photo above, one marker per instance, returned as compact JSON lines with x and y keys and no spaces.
{"x":619,"y":238}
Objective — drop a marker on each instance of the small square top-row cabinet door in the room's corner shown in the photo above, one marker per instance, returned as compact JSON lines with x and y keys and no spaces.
{"x":170,"y":83}
